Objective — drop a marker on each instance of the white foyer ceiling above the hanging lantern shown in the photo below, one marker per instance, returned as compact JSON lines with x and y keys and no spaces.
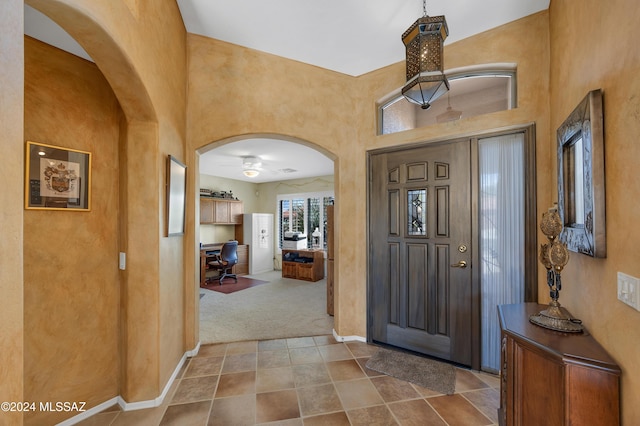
{"x":349,"y":36}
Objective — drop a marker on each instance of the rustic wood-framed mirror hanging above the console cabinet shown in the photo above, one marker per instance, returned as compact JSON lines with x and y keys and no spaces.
{"x":584,"y":124}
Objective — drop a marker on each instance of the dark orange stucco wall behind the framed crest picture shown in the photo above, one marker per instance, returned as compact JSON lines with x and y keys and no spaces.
{"x":71,"y":291}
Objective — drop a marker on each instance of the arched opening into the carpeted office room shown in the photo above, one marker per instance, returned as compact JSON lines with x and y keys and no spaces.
{"x":285,"y":168}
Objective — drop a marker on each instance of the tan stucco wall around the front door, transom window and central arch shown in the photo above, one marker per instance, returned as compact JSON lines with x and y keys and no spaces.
{"x":320,"y":108}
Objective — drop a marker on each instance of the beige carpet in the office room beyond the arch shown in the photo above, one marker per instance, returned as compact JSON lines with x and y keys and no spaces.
{"x":282,"y":308}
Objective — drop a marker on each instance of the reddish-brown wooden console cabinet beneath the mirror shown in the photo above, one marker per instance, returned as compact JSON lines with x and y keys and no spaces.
{"x":554,"y":378}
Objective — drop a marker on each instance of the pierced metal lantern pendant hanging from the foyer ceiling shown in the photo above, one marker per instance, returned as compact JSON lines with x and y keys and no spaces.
{"x":424,"y":42}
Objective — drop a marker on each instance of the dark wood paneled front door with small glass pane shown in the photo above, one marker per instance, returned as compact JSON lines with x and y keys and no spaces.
{"x":420,"y":284}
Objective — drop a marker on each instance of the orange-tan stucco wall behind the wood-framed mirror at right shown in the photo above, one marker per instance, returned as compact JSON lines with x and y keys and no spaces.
{"x":586,"y":56}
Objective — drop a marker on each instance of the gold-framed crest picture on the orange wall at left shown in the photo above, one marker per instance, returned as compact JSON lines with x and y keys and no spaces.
{"x":57,"y":178}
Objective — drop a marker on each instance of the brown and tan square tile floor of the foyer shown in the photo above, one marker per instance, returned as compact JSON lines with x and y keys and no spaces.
{"x":306,"y":381}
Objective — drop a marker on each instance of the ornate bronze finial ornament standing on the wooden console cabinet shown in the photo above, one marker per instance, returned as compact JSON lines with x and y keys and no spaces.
{"x":554,"y":256}
